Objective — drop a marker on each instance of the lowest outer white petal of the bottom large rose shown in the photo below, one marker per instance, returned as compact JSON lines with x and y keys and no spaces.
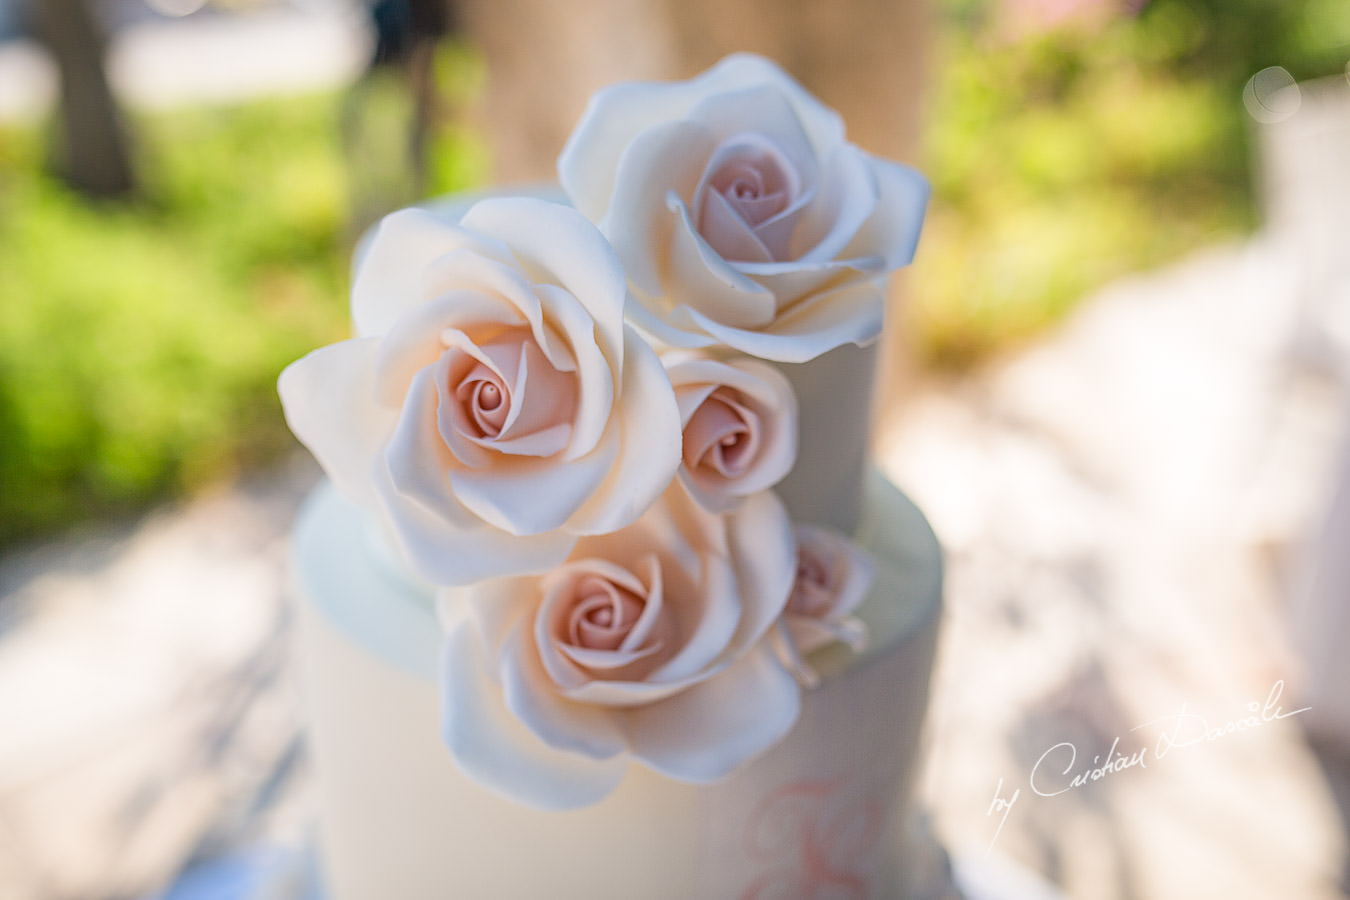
{"x":497,"y":751}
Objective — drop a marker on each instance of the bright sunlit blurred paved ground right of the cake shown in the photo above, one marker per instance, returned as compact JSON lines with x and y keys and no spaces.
{"x":1125,"y":511}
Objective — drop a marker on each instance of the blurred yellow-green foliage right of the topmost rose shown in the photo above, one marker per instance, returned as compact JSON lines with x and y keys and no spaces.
{"x":1067,"y":154}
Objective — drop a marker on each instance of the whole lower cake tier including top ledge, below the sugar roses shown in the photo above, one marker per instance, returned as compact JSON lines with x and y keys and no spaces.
{"x":821,"y":814}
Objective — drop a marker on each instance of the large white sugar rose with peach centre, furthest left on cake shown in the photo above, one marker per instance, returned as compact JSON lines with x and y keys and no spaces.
{"x":493,"y":404}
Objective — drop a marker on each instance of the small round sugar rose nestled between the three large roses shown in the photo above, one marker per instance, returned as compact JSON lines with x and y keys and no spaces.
{"x":740,"y":427}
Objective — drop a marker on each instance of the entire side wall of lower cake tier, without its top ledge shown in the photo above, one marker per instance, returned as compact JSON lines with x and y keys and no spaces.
{"x":827,"y":809}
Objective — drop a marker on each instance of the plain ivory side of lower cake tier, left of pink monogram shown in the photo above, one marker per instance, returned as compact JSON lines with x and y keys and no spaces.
{"x":398,"y":820}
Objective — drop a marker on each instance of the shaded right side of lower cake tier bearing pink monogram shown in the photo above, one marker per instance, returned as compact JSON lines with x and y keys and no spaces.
{"x":827,"y":812}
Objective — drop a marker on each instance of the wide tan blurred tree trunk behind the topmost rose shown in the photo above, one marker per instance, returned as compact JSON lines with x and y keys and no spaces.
{"x":867,"y":59}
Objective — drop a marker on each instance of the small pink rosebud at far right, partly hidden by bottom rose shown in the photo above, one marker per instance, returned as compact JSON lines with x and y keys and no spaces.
{"x":834,"y":577}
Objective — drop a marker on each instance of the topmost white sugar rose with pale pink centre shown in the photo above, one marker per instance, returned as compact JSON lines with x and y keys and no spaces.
{"x":740,"y":213}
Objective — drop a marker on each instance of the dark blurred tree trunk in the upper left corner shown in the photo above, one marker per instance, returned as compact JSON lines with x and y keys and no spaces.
{"x":94,"y":153}
